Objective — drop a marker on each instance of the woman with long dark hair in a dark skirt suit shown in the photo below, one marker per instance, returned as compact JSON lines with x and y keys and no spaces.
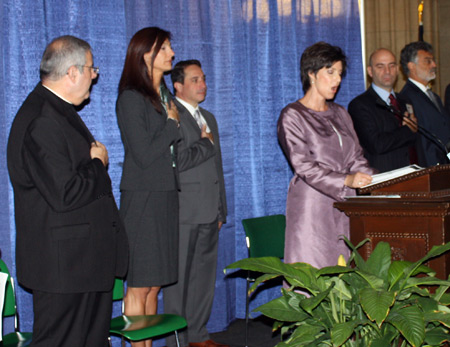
{"x":148,"y":123}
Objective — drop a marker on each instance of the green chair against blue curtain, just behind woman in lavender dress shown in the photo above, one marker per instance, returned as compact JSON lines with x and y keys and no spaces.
{"x":265,"y":238}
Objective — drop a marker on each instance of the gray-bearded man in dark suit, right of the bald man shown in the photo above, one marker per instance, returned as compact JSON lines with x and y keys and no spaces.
{"x":418,"y":64}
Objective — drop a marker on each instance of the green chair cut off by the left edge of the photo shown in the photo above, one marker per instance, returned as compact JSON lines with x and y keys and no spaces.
{"x":16,"y":338}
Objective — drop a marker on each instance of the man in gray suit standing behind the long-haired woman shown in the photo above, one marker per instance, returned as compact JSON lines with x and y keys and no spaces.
{"x":202,"y":206}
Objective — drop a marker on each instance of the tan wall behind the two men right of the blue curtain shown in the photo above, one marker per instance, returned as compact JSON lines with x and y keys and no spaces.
{"x":394,"y":23}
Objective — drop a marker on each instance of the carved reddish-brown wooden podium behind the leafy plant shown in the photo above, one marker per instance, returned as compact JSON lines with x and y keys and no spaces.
{"x":411,"y":212}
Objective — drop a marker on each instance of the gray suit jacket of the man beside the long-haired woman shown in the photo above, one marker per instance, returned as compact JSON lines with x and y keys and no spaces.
{"x":202,"y":187}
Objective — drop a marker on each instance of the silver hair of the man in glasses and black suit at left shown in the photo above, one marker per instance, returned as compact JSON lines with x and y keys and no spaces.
{"x":62,"y":53}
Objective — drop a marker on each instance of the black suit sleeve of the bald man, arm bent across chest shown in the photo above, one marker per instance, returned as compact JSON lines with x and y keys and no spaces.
{"x":371,"y":134}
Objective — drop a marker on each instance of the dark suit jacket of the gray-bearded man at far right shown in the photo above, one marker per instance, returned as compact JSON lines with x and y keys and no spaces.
{"x":435,"y":120}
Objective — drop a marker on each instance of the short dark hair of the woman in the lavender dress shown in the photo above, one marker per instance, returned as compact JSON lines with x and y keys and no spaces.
{"x":318,"y":56}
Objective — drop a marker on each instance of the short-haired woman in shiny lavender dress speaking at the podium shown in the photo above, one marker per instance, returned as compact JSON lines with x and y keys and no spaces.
{"x":321,"y":145}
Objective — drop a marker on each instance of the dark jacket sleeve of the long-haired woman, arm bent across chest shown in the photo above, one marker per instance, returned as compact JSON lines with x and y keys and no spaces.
{"x":145,"y":142}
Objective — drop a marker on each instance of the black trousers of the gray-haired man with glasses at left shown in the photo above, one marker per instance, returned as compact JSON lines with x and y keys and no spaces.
{"x":71,"y":320}
